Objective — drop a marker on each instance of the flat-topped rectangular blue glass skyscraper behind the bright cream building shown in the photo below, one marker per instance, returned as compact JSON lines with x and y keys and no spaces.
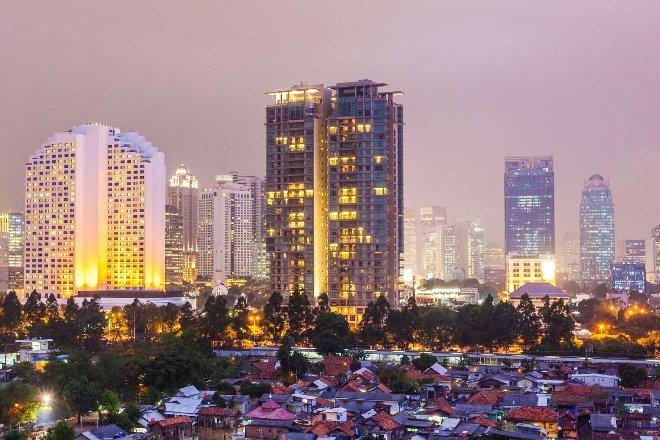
{"x":529,"y":206}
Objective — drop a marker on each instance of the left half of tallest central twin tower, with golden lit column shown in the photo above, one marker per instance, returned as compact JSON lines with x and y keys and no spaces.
{"x":296,"y":189}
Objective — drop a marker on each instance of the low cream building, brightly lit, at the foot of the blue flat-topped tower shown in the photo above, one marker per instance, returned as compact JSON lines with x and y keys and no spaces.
{"x":523,"y":270}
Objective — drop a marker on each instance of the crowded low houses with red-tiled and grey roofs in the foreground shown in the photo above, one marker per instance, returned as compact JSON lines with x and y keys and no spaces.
{"x":480,"y":402}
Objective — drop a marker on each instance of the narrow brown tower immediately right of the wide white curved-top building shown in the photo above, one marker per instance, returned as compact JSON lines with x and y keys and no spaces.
{"x":173,"y":248}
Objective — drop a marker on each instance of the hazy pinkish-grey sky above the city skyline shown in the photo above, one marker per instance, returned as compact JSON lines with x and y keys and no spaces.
{"x":482,"y":80}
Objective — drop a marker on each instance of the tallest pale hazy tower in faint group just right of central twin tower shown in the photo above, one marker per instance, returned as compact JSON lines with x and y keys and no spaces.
{"x":431,"y":221}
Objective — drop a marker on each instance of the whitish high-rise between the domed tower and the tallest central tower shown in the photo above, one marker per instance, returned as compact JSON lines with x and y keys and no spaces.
{"x":226,"y":232}
